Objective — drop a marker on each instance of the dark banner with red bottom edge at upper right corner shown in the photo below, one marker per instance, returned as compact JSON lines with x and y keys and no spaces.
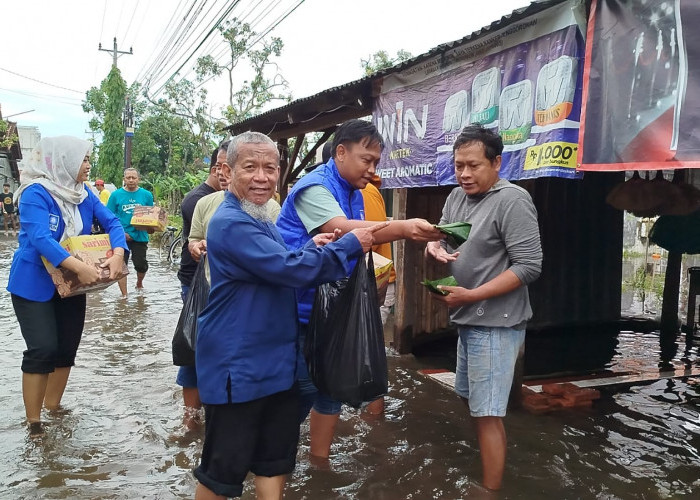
{"x":641,"y":86}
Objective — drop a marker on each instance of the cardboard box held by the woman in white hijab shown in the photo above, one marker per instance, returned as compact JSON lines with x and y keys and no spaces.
{"x":93,"y":249}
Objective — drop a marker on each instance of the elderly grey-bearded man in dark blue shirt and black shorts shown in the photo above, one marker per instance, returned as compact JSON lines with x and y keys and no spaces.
{"x":247,"y":337}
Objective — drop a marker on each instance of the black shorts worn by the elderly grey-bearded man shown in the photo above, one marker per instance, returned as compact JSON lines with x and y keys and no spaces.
{"x":258,"y":436}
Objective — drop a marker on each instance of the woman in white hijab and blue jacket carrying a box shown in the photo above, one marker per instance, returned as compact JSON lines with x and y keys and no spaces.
{"x":54,"y":205}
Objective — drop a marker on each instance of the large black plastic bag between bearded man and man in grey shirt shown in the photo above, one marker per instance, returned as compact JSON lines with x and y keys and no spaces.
{"x":345,"y":343}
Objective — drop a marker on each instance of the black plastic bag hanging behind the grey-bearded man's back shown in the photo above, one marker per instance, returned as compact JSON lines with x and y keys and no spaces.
{"x":185,"y":338}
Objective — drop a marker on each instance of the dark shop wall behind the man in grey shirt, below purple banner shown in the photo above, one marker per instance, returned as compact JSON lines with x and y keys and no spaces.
{"x":581,"y":277}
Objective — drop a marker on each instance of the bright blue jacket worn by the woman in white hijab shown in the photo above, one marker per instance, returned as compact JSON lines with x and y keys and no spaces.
{"x":42,"y":228}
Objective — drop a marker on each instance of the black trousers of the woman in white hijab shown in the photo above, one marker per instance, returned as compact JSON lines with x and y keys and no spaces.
{"x":52,"y":331}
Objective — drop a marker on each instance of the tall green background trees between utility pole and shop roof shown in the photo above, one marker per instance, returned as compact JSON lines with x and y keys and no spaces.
{"x":175,"y":133}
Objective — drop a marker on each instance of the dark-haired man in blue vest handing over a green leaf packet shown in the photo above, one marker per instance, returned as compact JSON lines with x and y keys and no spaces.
{"x":322,"y":201}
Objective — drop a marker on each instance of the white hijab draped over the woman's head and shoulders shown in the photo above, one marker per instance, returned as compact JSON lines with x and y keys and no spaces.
{"x":55,"y":164}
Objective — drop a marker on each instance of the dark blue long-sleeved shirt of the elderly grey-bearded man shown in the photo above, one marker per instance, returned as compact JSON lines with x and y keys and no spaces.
{"x":247,"y":334}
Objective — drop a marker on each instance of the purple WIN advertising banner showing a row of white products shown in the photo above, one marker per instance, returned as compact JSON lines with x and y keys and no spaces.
{"x":523,"y":81}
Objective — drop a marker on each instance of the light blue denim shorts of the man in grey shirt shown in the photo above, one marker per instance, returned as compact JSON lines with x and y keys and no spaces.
{"x":485,"y":364}
